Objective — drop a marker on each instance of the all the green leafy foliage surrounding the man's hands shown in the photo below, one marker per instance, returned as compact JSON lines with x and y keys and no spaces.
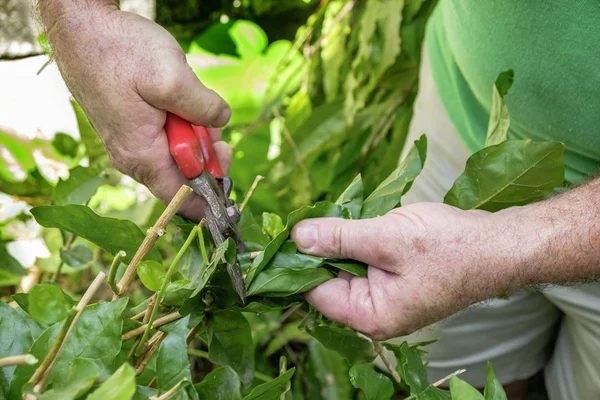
{"x":324,"y":119}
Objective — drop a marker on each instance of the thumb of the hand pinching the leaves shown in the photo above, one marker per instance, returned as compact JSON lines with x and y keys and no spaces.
{"x":361,"y":240}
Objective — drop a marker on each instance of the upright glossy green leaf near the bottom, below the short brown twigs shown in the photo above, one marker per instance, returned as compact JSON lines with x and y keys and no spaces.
{"x":172,"y":364}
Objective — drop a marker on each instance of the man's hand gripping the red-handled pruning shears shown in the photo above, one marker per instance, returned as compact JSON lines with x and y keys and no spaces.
{"x":126,"y":72}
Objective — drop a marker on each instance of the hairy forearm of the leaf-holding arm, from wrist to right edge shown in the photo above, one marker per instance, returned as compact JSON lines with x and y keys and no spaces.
{"x":555,"y":241}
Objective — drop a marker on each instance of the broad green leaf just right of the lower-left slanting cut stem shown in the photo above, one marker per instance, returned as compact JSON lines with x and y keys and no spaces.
{"x":96,"y":336}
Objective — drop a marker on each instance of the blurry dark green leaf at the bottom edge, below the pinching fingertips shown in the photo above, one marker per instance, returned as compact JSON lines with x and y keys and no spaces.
{"x":329,"y":371}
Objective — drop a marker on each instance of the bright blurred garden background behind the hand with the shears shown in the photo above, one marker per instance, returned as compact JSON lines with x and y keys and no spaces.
{"x":320,"y":90}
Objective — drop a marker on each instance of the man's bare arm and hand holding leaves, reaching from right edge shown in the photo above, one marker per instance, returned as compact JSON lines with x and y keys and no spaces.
{"x":429,"y":260}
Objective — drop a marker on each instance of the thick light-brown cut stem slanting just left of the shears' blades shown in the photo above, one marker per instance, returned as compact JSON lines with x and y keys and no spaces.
{"x":152,"y":236}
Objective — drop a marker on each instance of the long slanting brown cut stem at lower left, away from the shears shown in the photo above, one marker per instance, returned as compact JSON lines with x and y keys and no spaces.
{"x":39,"y":378}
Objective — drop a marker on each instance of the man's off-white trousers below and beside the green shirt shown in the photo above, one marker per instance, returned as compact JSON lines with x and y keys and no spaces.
{"x":557,"y":328}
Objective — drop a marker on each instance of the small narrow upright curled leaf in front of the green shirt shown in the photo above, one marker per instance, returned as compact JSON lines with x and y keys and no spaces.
{"x":499,"y":117}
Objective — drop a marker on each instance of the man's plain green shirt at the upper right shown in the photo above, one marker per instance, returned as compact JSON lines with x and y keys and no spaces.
{"x":553,"y":46}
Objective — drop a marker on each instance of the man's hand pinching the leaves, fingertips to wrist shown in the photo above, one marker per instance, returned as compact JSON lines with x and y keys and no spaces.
{"x":426,"y":261}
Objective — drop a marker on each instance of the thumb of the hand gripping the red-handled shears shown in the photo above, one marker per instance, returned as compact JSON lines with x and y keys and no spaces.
{"x":177,"y":89}
